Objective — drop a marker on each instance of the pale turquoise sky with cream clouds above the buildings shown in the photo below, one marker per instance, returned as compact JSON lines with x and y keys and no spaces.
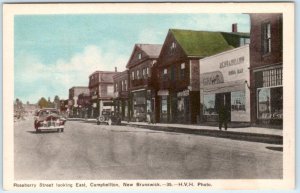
{"x":53,"y":53}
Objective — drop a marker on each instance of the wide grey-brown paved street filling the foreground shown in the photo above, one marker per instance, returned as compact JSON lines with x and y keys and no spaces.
{"x":90,"y":151}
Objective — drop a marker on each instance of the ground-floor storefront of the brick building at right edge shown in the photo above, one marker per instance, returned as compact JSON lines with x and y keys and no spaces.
{"x":269,"y":95}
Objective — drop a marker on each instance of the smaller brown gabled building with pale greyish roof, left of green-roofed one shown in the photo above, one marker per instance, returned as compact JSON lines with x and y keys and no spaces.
{"x":142,"y":92}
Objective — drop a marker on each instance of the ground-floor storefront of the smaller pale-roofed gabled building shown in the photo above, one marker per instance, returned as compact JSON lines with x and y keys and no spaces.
{"x":141,"y":105}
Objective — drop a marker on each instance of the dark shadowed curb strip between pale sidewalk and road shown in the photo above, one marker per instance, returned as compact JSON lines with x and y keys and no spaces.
{"x":243,"y":136}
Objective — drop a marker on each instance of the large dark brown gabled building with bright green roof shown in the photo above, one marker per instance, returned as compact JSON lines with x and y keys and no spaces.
{"x":178,"y":92}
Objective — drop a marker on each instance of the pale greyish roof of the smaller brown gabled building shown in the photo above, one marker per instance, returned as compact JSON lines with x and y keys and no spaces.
{"x":151,"y":51}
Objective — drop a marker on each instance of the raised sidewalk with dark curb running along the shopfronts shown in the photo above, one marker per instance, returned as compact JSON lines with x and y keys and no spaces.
{"x":254,"y":134}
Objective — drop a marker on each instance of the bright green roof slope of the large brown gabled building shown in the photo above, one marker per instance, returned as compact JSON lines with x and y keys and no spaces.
{"x":205,"y":43}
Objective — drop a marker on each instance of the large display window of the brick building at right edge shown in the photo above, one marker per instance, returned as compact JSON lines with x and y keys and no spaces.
{"x":270,"y":103}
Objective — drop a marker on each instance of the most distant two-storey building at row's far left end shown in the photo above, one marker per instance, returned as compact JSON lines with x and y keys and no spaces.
{"x":74,"y":92}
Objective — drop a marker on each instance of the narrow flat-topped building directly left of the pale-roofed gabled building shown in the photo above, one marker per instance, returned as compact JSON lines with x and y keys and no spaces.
{"x":121,"y":94}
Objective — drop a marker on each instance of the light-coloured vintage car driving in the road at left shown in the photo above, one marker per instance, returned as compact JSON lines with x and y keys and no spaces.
{"x":49,"y":119}
